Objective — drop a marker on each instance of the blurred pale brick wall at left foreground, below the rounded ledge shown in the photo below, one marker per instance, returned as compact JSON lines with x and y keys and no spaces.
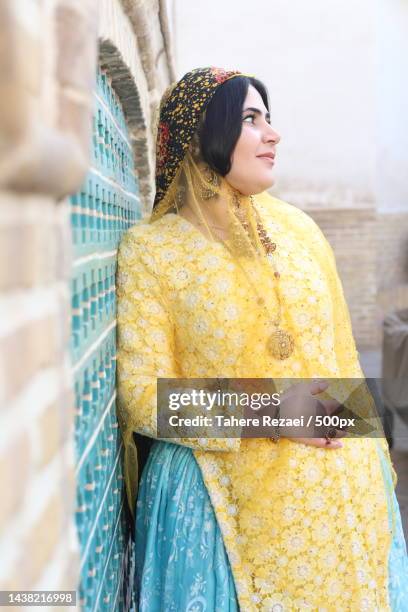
{"x":36,"y":451}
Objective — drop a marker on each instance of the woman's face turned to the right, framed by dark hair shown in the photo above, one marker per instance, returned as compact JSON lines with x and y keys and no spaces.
{"x":253,"y":157}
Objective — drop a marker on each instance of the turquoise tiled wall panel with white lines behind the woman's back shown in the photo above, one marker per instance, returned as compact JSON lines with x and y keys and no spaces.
{"x":101,"y":211}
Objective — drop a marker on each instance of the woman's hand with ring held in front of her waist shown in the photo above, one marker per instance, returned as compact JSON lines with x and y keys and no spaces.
{"x":300,"y":401}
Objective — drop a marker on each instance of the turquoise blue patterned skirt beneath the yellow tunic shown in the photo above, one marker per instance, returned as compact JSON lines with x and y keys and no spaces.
{"x":181,"y":561}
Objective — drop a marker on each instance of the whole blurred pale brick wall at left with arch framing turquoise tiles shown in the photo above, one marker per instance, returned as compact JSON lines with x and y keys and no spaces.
{"x":48,"y":62}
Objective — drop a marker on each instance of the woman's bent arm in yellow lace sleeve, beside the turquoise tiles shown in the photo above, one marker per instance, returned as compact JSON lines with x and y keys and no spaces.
{"x":146,"y":344}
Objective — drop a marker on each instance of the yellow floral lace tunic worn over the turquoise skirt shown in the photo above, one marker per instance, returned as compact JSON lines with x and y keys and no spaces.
{"x":304,"y":528}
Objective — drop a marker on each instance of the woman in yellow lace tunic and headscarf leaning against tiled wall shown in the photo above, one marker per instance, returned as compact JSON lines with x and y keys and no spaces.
{"x":226,"y":281}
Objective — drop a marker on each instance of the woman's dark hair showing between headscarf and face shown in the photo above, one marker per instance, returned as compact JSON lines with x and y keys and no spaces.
{"x":222,"y":123}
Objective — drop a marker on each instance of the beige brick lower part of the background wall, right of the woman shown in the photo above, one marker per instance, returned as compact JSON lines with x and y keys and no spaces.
{"x":372,"y":258}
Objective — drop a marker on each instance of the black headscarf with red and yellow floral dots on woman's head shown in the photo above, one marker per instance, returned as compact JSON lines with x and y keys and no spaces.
{"x":181,"y":109}
